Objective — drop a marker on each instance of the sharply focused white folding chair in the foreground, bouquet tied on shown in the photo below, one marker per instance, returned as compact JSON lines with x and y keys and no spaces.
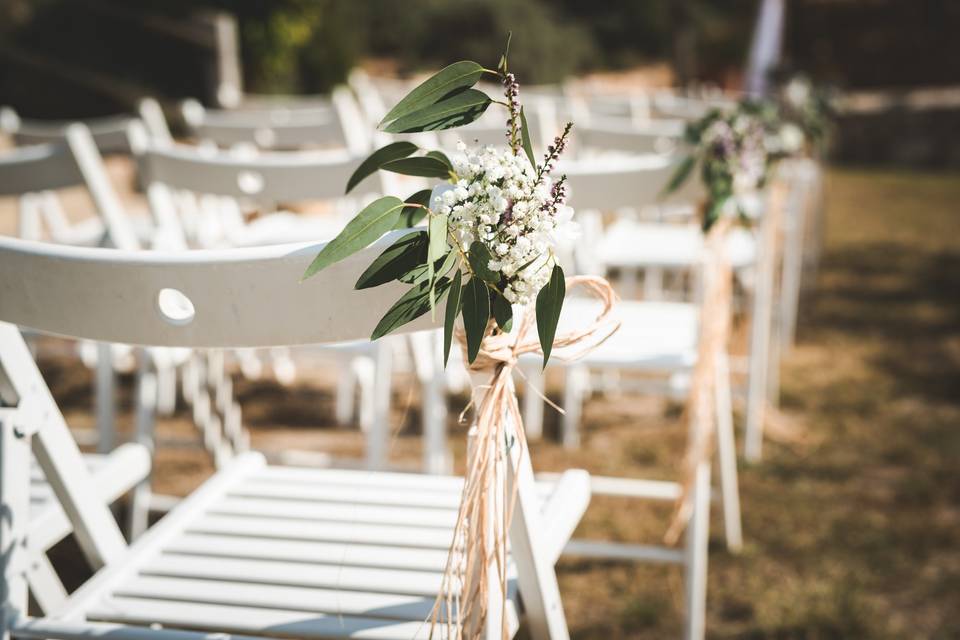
{"x":257,"y":551}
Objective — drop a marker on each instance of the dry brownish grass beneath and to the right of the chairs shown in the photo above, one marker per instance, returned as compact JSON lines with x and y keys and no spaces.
{"x":853,"y":534}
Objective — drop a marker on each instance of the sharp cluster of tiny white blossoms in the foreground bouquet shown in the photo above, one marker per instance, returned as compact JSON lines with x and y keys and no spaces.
{"x":499,"y":202}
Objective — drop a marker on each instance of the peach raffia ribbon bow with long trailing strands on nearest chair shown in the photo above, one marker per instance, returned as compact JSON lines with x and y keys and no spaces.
{"x":486,"y":505}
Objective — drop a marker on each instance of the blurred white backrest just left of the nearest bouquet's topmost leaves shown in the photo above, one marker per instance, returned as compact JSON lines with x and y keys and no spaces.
{"x":277,"y":127}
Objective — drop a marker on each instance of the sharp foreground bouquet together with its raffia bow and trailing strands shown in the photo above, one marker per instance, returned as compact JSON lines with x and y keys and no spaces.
{"x":479,"y":245}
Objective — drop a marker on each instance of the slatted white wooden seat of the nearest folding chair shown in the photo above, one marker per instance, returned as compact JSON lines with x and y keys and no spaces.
{"x":295,"y":552}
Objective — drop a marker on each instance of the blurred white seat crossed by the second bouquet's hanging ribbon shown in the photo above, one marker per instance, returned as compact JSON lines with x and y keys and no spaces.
{"x":629,"y":244}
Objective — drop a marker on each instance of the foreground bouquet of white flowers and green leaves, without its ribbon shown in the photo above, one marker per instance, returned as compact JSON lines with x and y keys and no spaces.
{"x":484,"y":239}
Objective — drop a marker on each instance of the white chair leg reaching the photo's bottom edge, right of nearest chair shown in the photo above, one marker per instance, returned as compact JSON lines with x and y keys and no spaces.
{"x":697,"y":537}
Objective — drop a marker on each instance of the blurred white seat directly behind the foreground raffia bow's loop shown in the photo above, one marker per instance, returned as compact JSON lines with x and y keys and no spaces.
{"x":653,"y":336}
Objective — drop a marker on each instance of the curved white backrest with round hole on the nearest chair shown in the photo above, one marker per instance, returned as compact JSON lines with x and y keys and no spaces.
{"x":203,"y":299}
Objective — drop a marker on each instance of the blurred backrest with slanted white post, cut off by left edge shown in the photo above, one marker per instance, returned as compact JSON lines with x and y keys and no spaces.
{"x":70,"y":162}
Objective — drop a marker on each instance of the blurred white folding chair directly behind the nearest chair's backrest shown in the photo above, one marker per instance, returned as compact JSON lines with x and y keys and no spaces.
{"x":185,"y":183}
